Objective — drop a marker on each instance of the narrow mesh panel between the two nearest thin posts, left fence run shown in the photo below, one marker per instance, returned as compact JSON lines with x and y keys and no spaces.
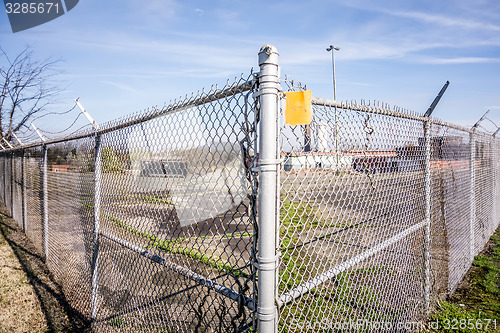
{"x":70,"y":227}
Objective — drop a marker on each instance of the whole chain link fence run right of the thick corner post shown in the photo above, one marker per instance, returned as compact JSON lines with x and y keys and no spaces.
{"x":381,"y":212}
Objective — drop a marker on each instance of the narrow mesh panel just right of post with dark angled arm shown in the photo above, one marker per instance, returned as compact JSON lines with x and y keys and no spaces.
{"x":451,"y":206}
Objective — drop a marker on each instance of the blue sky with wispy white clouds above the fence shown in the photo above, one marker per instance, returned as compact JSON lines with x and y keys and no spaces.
{"x":120,"y":57}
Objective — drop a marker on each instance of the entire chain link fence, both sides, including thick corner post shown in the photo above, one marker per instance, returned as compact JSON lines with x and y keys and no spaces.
{"x":212,"y":214}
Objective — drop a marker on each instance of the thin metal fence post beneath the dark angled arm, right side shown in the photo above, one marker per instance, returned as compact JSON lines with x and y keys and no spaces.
{"x":427,"y":229}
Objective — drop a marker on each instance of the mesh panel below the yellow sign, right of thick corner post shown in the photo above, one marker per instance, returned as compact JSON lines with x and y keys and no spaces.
{"x":352,"y":211}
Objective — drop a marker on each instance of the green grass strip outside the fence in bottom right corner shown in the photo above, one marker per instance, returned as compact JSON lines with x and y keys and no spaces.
{"x":475,"y":306}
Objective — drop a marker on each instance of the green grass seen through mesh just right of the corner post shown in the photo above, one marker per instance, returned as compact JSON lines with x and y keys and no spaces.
{"x":310,"y":312}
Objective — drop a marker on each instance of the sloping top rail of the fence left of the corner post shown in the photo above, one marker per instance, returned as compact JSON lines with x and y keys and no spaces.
{"x":240,"y":86}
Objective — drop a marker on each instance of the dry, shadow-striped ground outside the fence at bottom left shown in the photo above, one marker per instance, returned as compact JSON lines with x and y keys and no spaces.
{"x":30,"y":298}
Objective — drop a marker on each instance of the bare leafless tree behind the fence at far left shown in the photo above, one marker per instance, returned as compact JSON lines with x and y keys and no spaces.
{"x":26,"y":89}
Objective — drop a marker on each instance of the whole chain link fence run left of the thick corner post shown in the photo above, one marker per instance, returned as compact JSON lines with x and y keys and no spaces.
{"x":148,"y":223}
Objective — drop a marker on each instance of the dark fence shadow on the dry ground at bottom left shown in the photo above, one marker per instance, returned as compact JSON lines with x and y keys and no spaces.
{"x":59,"y":314}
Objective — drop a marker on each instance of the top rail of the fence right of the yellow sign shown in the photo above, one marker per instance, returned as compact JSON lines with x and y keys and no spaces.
{"x":386,"y":112}
